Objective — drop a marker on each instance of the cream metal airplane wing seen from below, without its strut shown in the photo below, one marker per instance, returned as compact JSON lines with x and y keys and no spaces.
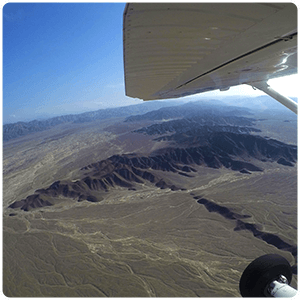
{"x":173,"y":49}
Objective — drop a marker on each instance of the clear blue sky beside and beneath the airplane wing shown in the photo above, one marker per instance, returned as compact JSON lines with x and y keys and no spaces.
{"x":63,"y":58}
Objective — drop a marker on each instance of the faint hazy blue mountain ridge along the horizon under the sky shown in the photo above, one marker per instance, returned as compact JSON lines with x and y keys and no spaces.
{"x":165,"y":108}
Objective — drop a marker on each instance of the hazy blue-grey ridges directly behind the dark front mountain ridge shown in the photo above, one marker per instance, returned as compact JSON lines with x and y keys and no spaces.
{"x":196,"y":123}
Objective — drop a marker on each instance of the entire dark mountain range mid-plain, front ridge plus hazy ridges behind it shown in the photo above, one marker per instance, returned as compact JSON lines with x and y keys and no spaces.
{"x":214,"y":141}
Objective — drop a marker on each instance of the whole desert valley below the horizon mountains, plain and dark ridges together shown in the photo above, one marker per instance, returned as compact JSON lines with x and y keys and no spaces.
{"x":171,"y":205}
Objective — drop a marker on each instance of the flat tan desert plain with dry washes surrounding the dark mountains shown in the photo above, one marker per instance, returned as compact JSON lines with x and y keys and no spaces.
{"x":148,"y":240}
